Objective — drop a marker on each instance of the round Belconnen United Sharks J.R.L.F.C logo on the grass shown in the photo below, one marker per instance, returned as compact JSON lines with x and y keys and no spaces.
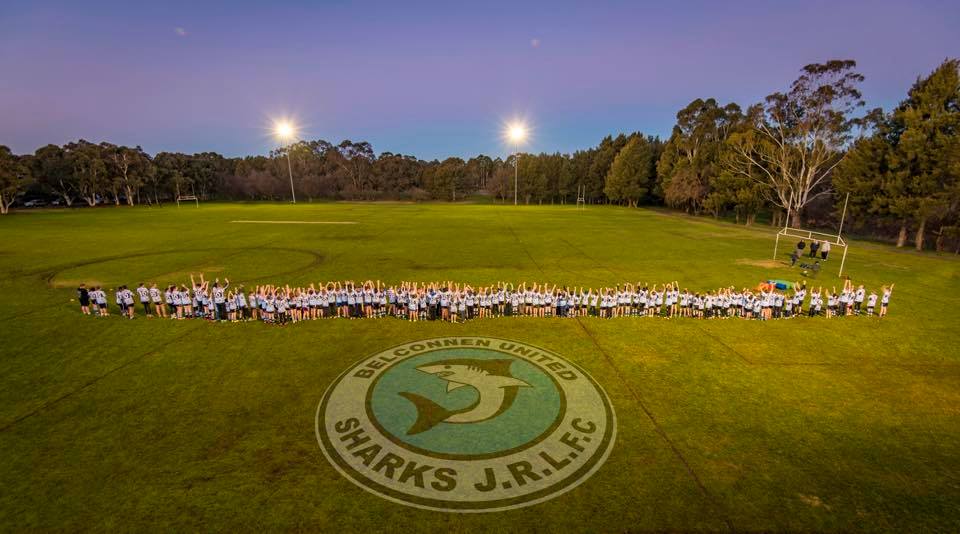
{"x":466,"y":424}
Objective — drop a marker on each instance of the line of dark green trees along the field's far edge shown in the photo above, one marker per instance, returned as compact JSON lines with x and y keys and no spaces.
{"x":793,"y":158}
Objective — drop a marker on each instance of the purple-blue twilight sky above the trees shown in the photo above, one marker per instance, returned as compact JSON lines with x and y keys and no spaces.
{"x":429,"y":79}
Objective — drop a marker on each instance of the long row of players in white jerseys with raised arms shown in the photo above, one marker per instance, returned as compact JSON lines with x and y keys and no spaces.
{"x":452,"y":302}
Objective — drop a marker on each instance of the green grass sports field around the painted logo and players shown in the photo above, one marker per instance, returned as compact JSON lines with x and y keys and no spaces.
{"x":849,"y":424}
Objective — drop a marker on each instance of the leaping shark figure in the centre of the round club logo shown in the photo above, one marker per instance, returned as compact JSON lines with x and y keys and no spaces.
{"x":495,"y":386}
